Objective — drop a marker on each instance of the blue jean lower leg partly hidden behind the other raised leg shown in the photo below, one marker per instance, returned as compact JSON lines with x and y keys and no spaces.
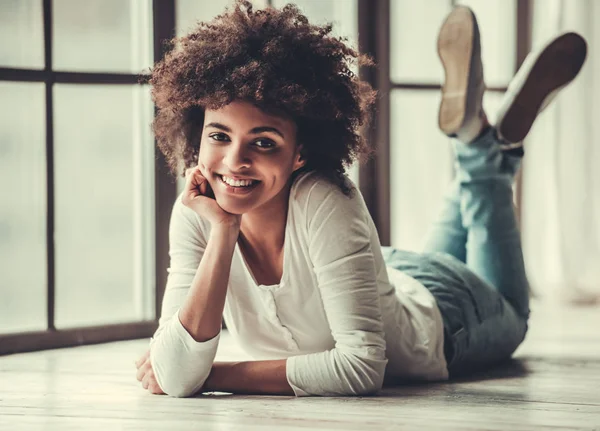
{"x":447,"y":233}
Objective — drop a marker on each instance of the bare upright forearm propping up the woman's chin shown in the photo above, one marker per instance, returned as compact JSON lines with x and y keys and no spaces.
{"x":202,"y":311}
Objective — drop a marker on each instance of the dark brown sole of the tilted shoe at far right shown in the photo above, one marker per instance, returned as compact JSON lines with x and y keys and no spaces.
{"x":556,"y":66}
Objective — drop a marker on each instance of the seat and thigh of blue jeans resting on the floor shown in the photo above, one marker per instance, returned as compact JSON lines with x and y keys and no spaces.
{"x":481,"y":328}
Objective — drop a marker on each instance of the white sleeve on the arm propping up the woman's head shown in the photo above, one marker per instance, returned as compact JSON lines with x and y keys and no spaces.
{"x":180,"y":363}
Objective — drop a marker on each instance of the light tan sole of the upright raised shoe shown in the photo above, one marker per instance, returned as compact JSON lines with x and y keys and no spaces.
{"x":455,"y":47}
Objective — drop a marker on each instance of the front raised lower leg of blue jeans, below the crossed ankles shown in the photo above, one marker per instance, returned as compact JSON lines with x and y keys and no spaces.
{"x":493,"y":245}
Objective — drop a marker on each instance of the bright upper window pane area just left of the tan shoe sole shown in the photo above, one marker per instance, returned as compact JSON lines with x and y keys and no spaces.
{"x":414,"y":29}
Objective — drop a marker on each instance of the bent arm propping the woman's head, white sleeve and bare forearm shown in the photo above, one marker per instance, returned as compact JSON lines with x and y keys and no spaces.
{"x":183,"y":349}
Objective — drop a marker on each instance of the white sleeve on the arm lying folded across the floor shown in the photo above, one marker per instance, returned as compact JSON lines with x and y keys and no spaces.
{"x":339,"y":240}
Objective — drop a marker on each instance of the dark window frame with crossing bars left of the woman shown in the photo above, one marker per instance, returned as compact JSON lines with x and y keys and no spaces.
{"x":163,"y":22}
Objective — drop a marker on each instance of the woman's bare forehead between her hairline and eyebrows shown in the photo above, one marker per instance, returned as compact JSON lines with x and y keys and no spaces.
{"x":245,"y":116}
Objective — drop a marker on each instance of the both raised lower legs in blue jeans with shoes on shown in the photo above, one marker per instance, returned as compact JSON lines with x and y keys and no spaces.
{"x":478,"y":224}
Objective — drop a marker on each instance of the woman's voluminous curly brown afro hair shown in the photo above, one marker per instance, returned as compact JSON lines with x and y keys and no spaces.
{"x":279,"y":62}
